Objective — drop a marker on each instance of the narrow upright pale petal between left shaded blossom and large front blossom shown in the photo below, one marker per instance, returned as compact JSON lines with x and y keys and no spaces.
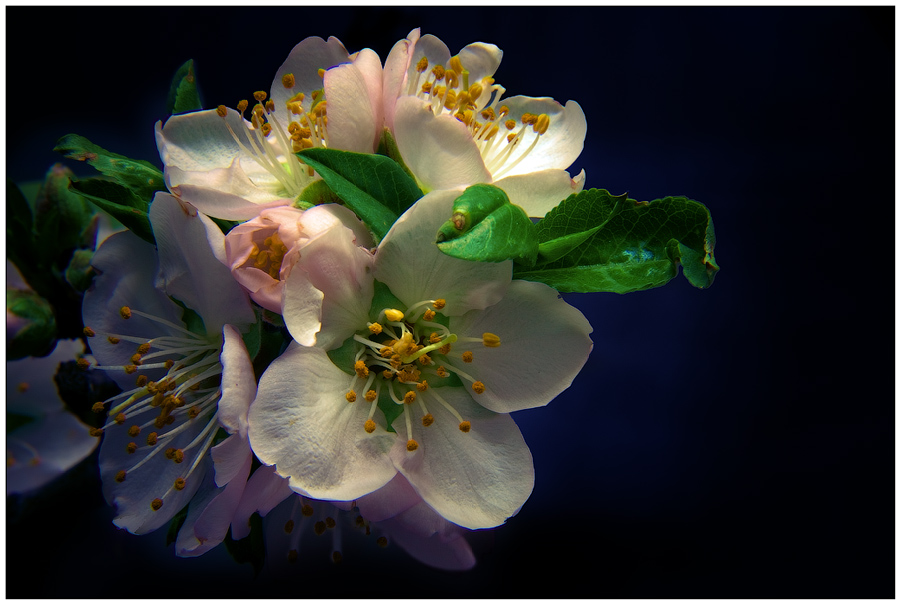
{"x":238,"y":382}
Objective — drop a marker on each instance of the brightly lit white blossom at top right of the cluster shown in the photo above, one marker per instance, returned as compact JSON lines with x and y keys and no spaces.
{"x":454,"y":129}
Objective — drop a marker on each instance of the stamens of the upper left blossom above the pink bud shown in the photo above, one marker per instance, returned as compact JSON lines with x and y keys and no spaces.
{"x":273,"y":145}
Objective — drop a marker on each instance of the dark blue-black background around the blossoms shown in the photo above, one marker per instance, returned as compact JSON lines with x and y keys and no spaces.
{"x":735,"y":442}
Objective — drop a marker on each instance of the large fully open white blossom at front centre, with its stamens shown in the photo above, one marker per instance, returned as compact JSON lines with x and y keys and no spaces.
{"x":412,"y":337}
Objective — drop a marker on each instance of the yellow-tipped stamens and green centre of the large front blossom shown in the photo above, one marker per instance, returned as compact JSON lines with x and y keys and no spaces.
{"x":396,"y":356}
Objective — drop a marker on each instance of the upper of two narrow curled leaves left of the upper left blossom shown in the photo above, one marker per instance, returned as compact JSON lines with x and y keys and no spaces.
{"x":142,"y":177}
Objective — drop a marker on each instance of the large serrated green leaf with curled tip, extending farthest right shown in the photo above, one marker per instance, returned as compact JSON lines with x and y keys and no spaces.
{"x":637,"y":246}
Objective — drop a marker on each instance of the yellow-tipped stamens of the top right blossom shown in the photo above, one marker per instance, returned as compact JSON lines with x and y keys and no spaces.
{"x":447,"y":87}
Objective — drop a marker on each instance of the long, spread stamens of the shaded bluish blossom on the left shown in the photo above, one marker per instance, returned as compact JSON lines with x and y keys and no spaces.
{"x":155,"y":412}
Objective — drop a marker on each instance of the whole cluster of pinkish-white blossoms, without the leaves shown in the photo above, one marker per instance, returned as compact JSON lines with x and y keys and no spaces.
{"x":389,"y":403}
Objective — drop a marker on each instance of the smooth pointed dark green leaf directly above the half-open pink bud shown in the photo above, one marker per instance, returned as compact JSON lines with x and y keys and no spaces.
{"x":375,"y":187}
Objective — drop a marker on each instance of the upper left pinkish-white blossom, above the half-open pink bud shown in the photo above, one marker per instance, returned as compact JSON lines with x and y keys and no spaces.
{"x":231,"y":166}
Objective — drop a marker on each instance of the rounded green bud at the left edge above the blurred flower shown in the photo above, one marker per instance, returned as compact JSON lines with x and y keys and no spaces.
{"x":38,"y":336}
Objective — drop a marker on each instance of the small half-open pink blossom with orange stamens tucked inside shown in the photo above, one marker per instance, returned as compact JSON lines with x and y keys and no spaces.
{"x":262,"y":251}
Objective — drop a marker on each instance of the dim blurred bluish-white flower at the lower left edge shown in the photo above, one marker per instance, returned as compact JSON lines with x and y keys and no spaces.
{"x":43,"y":439}
